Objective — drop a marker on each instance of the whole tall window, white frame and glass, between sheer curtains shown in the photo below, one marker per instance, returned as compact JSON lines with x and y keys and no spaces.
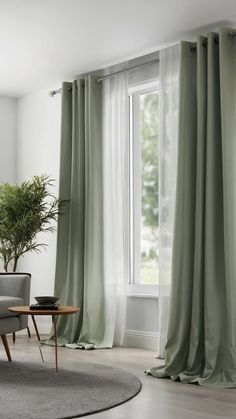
{"x":144,"y":224}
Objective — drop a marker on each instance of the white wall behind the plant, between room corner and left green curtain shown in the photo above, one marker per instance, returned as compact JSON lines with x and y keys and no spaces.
{"x":38,"y":150}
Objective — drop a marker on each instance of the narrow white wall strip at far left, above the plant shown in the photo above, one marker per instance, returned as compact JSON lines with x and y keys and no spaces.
{"x":7,"y":139}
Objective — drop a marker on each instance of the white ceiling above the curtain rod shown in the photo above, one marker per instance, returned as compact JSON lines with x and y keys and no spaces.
{"x":46,"y":41}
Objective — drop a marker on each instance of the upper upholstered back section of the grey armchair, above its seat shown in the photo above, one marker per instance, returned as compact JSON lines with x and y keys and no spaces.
{"x":16,"y":285}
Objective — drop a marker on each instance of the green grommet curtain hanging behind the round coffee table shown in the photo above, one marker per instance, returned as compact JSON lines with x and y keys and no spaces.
{"x":79,"y":264}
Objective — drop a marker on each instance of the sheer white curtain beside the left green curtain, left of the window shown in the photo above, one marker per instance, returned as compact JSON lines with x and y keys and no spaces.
{"x":115,"y":182}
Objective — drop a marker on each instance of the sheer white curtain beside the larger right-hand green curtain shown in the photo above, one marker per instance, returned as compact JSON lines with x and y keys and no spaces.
{"x":168,"y":136}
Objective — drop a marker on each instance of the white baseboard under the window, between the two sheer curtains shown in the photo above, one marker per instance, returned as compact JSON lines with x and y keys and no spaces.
{"x":142,"y":340}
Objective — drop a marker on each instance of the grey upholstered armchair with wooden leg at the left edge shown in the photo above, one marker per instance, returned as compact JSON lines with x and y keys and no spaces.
{"x":14,"y":291}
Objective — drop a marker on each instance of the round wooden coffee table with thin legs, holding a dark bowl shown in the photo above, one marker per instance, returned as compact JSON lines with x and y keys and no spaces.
{"x":61,"y":311}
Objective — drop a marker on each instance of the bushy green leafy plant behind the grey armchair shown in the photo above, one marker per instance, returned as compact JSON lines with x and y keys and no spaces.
{"x":25,"y":210}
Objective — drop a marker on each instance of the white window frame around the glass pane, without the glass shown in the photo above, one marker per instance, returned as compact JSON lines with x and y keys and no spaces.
{"x":135,"y":288}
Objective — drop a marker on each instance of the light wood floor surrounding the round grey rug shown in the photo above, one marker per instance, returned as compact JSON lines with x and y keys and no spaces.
{"x":159,"y":398}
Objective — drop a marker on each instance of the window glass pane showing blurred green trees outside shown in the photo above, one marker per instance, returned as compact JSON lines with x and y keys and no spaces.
{"x":149,"y":188}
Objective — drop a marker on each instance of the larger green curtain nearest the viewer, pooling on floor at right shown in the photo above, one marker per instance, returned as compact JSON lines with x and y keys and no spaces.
{"x":201,"y":342}
